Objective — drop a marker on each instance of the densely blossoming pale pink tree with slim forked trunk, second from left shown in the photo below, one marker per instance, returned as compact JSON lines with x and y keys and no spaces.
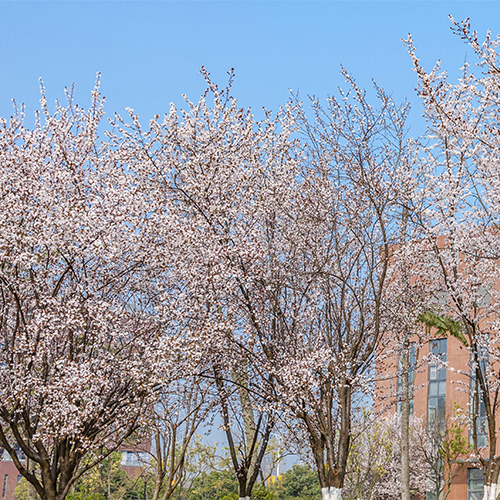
{"x":216,"y":172}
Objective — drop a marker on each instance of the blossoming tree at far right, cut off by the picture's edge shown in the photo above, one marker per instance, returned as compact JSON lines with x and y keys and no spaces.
{"x":461,"y":247}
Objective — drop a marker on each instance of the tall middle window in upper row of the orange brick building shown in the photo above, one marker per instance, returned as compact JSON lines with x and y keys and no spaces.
{"x":436,"y":399}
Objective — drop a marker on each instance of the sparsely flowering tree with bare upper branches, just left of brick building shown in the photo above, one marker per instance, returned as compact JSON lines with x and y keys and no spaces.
{"x":313,"y":291}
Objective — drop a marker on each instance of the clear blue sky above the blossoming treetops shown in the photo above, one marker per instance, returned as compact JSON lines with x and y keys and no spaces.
{"x":150,"y":52}
